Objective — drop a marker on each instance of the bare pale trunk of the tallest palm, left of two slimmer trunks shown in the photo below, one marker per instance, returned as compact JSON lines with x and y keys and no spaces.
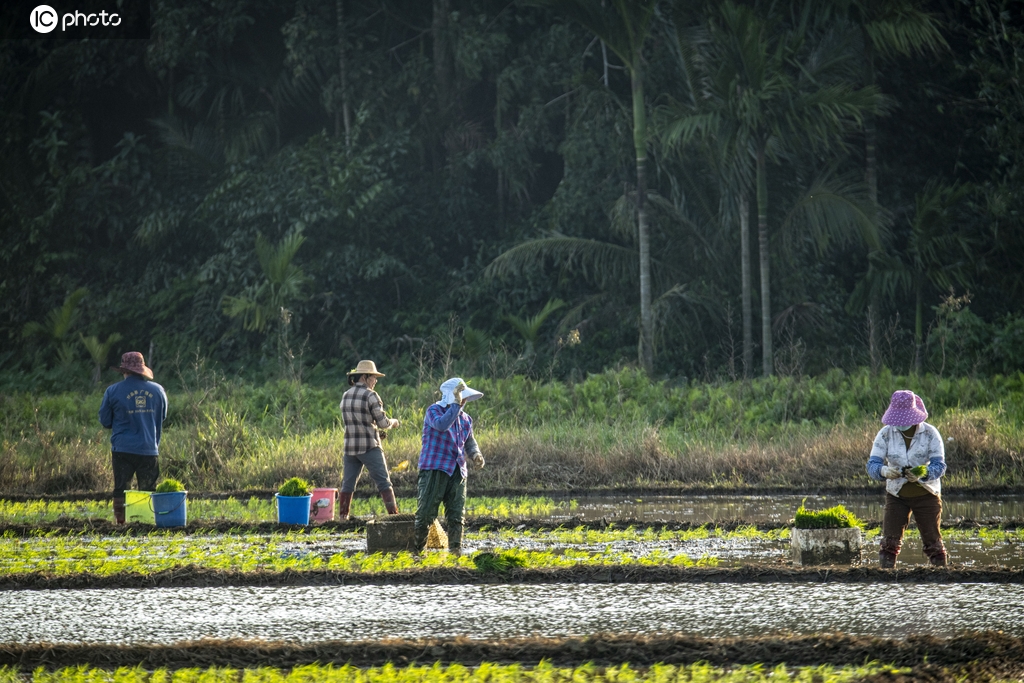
{"x":644,"y":240}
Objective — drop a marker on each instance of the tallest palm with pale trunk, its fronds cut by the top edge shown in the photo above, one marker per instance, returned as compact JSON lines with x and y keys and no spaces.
{"x":625,"y":26}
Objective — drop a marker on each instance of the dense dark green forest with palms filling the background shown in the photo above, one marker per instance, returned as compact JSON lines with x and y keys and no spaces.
{"x":700,"y":189}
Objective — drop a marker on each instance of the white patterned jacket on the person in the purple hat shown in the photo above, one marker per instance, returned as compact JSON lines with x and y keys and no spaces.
{"x":926,"y":449}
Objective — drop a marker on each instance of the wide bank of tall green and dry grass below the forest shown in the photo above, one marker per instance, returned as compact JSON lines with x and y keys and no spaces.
{"x":617,"y":430}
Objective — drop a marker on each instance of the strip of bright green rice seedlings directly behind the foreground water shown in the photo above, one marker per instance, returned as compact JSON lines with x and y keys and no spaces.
{"x":308,"y":550}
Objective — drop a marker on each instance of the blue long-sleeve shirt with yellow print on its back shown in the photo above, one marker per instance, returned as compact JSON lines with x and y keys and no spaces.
{"x":135,"y":410}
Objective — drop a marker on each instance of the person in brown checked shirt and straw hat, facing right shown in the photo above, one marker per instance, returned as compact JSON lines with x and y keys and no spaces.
{"x":363,"y":415}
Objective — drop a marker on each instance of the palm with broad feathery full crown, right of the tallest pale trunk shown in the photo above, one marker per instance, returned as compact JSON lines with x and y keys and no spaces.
{"x":755,"y":103}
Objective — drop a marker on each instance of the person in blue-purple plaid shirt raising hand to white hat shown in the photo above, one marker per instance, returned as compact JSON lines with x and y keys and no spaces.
{"x":448,"y":440}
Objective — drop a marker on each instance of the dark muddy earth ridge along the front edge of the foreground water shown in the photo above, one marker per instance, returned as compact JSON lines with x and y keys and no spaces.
{"x":980,"y":656}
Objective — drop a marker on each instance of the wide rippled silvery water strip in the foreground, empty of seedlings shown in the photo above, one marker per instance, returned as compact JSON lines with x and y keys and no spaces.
{"x":308,"y":615}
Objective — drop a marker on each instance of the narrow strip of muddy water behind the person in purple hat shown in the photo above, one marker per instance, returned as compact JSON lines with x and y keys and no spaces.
{"x":778,"y":508}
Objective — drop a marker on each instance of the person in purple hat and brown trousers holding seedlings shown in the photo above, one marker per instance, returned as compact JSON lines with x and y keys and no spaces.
{"x":910,"y":457}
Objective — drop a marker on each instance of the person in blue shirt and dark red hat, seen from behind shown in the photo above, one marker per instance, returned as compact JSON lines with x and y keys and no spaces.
{"x":135,"y":411}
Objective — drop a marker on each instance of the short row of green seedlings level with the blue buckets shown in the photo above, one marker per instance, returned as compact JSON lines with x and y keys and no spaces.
{"x":261,"y":510}
